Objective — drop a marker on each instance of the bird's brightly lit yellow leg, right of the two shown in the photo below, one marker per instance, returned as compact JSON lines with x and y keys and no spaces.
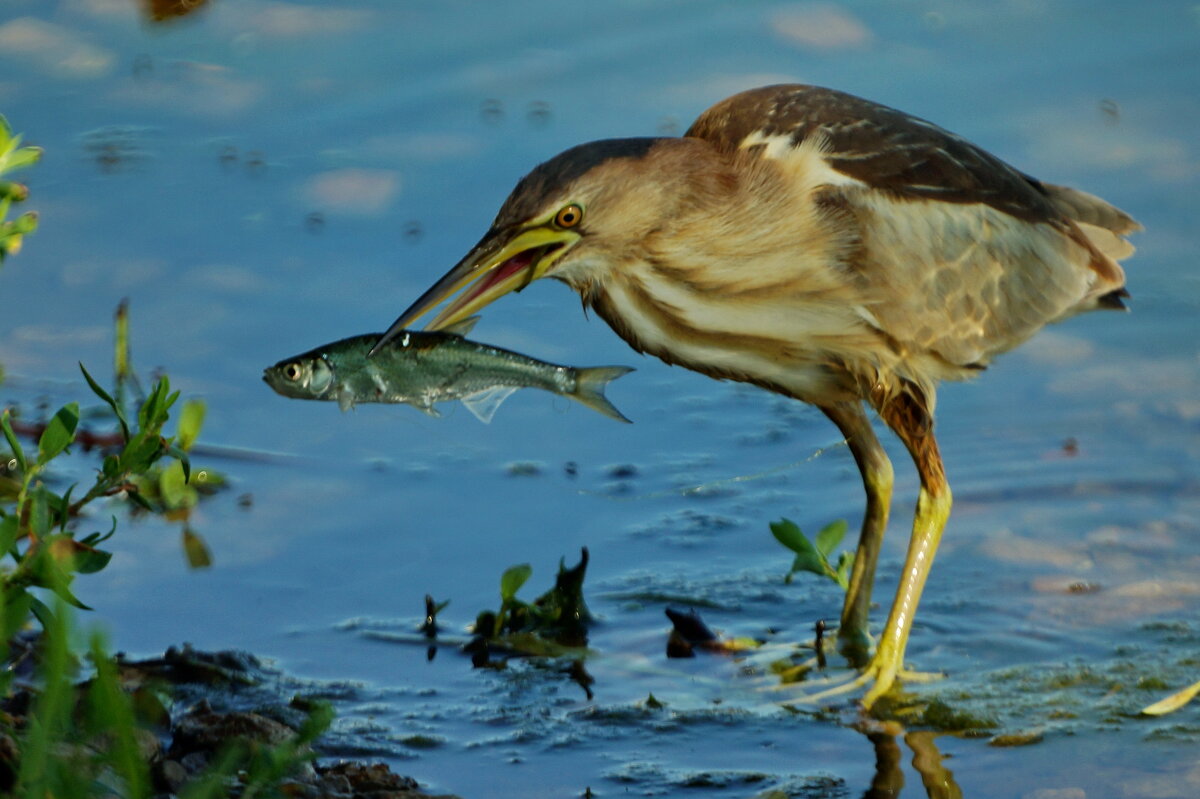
{"x":914,"y":425}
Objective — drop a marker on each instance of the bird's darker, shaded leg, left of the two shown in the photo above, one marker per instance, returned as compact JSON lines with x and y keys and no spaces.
{"x":854,"y":641}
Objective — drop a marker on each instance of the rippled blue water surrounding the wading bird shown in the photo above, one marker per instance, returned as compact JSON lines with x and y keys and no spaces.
{"x":265,"y":177}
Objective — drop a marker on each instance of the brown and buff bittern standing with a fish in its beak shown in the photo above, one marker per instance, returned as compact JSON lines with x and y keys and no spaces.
{"x":820,"y":247}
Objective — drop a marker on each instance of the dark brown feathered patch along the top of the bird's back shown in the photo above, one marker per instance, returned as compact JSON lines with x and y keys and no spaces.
{"x":881,"y":147}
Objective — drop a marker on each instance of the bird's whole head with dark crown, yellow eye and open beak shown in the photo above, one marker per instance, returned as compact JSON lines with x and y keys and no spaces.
{"x":571,"y":219}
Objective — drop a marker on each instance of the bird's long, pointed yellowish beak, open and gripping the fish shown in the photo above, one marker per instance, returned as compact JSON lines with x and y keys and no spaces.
{"x":494,"y":268}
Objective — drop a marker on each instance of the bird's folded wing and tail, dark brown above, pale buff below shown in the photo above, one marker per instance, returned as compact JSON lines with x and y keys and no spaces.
{"x":958,"y":255}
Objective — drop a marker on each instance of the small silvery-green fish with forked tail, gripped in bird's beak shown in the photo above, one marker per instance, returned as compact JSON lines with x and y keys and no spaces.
{"x":423,"y":368}
